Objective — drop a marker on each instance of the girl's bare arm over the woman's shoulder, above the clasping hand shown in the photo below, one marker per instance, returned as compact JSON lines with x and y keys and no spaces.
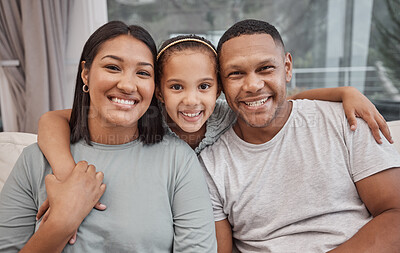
{"x":54,"y":141}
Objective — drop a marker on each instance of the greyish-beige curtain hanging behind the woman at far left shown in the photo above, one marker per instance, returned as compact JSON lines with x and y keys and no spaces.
{"x":33,"y":32}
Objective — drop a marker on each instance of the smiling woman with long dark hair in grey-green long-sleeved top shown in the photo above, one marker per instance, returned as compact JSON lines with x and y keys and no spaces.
{"x":158,"y":200}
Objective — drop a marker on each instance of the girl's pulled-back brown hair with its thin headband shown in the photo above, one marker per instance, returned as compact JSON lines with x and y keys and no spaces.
{"x":168,"y":48}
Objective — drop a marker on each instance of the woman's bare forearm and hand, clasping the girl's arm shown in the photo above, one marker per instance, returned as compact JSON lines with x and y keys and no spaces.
{"x":68,"y":210}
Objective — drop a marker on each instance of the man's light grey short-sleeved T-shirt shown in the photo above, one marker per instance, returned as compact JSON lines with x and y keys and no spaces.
{"x":296,"y":192}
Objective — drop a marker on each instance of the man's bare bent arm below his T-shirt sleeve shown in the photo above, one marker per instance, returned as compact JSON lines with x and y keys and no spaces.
{"x":381,"y":195}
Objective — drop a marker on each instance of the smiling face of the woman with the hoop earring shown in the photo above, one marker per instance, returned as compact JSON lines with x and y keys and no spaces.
{"x":121,"y":83}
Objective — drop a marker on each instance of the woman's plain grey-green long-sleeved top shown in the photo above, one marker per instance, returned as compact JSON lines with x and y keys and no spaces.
{"x":156,"y":197}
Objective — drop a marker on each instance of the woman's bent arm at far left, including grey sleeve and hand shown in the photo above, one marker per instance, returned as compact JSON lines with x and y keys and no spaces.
{"x":71,"y":200}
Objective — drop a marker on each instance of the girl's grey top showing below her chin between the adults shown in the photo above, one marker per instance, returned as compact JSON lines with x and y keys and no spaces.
{"x":219,"y":122}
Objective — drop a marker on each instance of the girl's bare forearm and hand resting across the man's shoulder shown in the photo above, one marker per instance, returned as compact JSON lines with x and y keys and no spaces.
{"x":355,"y":104}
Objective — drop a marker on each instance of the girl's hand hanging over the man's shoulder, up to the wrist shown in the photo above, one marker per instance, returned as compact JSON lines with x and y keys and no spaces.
{"x":355,"y":104}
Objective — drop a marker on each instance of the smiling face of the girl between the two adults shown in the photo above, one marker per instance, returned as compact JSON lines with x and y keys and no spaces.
{"x":189,"y":89}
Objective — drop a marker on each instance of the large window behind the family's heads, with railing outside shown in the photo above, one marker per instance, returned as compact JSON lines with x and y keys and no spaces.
{"x":333,"y":42}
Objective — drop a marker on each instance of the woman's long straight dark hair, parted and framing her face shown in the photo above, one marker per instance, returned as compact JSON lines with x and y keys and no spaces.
{"x":149,"y":125}
